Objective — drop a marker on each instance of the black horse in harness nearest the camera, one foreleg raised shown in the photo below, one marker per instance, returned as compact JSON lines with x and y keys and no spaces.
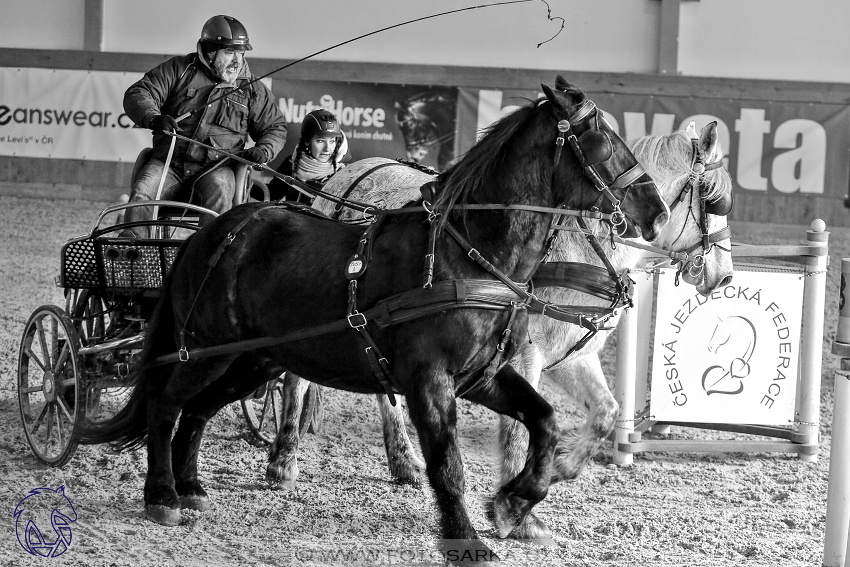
{"x":263,"y":270}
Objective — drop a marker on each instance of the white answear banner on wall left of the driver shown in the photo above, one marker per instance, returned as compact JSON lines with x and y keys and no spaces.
{"x":67,"y":114}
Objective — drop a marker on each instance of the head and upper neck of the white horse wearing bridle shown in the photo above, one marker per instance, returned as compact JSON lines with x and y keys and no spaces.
{"x":698,"y":189}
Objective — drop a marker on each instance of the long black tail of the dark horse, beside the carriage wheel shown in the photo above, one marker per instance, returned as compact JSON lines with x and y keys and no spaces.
{"x":128,"y":429}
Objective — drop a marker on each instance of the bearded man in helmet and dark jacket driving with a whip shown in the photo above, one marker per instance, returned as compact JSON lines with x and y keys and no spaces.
{"x":202,"y":84}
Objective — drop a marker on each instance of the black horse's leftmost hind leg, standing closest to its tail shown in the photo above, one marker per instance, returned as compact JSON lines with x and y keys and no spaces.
{"x":162,"y":503}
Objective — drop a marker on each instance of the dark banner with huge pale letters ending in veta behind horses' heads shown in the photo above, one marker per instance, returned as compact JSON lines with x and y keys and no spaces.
{"x":772,"y":148}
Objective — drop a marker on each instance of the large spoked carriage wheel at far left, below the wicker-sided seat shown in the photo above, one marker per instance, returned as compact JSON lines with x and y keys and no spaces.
{"x":49,"y":376}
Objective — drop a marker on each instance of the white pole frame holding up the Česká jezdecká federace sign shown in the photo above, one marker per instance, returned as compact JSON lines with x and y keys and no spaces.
{"x":809,"y":260}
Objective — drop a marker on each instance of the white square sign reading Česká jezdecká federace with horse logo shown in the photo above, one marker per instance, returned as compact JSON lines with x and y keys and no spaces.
{"x":731,"y":357}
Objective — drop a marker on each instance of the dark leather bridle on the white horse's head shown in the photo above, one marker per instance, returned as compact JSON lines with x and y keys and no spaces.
{"x":721,"y":206}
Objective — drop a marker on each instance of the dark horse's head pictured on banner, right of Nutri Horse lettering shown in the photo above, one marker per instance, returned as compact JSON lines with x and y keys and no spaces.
{"x":427,"y":121}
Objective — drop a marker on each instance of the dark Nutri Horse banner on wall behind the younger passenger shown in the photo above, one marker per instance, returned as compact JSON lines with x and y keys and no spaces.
{"x":393,"y":121}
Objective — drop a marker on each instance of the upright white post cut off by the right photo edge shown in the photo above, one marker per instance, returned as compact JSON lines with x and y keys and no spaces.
{"x":835,"y":546}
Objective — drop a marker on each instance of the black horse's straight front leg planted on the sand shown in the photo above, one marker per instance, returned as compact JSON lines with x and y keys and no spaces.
{"x":433,"y":411}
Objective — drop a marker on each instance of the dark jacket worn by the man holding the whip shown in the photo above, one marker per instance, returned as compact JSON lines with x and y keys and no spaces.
{"x":186,"y":83}
